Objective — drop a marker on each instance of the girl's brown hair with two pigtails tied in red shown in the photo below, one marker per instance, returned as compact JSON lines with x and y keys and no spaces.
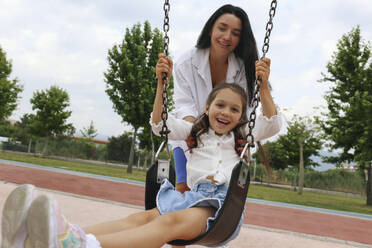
{"x":201,"y":124}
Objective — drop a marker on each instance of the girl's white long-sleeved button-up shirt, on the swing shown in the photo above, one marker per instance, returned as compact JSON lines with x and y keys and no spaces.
{"x":215,"y":155}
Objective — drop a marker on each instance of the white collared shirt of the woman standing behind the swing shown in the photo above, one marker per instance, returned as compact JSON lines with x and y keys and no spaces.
{"x":193,"y":83}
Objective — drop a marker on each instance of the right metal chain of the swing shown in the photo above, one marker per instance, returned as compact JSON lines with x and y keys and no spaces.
{"x":255,"y":101}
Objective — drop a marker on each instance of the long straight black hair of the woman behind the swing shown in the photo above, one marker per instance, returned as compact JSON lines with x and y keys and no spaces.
{"x":246,"y":49}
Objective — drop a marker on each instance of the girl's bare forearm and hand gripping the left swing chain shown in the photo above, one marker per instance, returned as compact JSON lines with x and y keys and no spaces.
{"x":164,"y":64}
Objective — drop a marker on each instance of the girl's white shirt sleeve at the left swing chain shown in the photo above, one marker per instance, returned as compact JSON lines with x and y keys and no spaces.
{"x":179,"y":129}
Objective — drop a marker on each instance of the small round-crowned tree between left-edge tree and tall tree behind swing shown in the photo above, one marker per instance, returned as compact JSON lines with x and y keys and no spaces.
{"x":51,"y":114}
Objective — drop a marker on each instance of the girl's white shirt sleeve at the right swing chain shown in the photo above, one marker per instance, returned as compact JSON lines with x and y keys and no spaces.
{"x":266,"y":127}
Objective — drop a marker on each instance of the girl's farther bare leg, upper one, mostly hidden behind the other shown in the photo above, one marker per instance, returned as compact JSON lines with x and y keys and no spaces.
{"x":131,"y":221}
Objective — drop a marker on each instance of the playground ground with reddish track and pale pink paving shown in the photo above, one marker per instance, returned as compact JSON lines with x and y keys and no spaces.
{"x":87,"y":199}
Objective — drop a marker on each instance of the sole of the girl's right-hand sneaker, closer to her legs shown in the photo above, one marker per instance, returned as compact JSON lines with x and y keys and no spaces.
{"x":41,"y":224}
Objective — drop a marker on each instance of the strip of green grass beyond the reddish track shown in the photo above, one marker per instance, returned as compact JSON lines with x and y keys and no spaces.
{"x":318,"y":200}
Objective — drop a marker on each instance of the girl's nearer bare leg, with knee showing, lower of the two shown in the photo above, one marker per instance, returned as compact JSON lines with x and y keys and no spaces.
{"x":184,"y":224}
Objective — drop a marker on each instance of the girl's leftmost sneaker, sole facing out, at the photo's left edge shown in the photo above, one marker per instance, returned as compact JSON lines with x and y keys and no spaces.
{"x":13,"y":222}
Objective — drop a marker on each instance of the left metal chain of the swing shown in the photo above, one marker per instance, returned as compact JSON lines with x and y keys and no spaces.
{"x":164,"y":115}
